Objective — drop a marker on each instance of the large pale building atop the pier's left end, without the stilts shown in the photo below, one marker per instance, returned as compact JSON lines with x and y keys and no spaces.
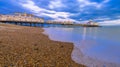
{"x":21,"y":17}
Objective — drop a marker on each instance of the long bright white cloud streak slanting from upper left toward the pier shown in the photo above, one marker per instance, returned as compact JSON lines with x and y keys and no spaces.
{"x":29,"y":4}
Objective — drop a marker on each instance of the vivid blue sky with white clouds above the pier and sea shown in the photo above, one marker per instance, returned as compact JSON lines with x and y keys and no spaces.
{"x":106,"y":12}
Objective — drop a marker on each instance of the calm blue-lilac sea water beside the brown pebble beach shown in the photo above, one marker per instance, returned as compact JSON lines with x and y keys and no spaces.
{"x":95,"y":43}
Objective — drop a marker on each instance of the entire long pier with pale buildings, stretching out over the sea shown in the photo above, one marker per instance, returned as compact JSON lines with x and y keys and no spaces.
{"x":31,"y":20}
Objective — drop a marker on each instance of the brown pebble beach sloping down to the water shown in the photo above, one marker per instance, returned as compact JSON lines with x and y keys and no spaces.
{"x":22,"y":46}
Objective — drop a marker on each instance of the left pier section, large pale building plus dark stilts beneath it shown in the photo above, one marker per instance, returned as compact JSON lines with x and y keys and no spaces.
{"x":20,"y":19}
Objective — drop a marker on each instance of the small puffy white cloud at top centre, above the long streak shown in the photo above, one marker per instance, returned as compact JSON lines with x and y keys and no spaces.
{"x":54,"y":4}
